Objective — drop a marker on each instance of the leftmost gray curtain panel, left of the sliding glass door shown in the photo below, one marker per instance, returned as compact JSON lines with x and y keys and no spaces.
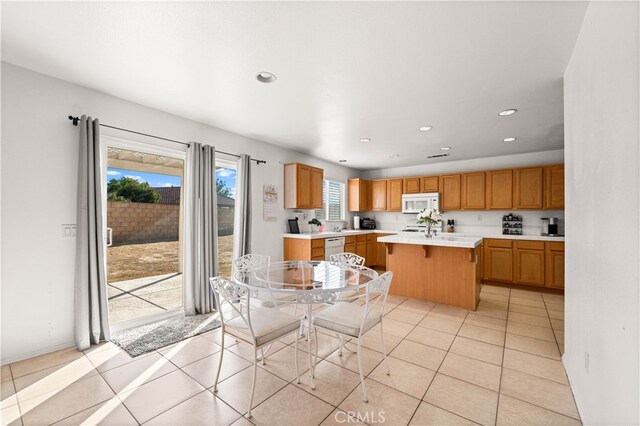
{"x":90,"y":296}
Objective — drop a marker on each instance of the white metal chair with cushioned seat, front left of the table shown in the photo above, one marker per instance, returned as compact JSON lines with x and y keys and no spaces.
{"x":258,"y":327}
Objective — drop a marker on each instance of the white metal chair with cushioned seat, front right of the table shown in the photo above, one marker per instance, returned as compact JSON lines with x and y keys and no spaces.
{"x":354,"y":320}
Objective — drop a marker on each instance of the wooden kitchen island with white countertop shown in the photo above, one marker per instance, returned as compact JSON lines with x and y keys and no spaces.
{"x":442,"y":269}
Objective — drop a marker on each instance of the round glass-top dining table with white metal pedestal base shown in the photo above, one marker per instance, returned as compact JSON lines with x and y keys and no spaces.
{"x":307,"y":283}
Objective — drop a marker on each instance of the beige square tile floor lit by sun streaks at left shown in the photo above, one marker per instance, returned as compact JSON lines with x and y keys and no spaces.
{"x":498,"y":365}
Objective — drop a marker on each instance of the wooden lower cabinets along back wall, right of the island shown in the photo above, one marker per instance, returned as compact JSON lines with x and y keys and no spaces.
{"x":535,"y":263}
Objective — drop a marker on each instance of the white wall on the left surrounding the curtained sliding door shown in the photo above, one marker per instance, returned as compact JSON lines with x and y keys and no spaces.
{"x":39,"y":169}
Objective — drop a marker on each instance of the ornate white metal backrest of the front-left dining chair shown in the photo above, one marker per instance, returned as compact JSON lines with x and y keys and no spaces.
{"x":234,"y":300}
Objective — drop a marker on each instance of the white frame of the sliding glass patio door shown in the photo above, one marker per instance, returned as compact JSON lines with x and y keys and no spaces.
{"x":167,"y":149}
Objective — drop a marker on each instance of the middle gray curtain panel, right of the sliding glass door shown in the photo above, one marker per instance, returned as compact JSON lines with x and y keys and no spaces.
{"x":201,"y":243}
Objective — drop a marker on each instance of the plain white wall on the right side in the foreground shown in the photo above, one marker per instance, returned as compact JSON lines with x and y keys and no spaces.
{"x":602,"y":277}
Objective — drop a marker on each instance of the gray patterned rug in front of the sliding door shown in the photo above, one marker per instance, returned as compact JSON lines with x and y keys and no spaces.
{"x":140,"y":340}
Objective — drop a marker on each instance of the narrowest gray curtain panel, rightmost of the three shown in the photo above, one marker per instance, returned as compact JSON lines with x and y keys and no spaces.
{"x":242,"y":214}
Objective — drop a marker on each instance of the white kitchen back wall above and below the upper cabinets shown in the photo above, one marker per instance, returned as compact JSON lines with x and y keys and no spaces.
{"x":489,"y":222}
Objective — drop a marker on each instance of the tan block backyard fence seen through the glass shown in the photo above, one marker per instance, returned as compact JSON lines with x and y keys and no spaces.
{"x":135,"y":223}
